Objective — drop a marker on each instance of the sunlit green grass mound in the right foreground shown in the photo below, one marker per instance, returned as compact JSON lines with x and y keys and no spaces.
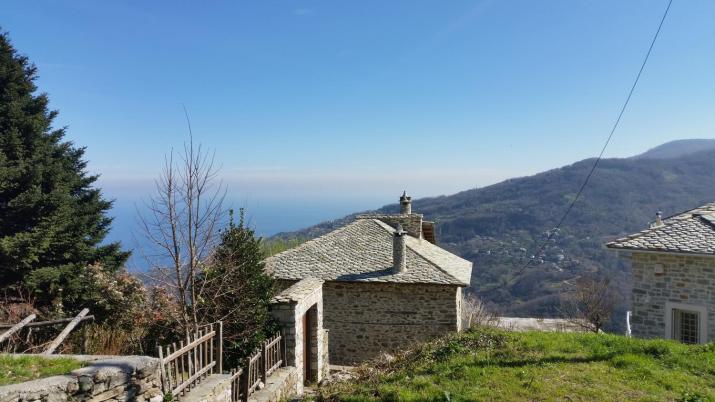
{"x":493,"y":365}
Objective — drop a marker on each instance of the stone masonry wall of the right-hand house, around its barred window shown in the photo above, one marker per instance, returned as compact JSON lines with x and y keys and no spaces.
{"x":685,"y":279}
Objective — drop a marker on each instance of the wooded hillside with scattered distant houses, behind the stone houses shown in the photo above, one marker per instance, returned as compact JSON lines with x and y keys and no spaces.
{"x":500,"y":227}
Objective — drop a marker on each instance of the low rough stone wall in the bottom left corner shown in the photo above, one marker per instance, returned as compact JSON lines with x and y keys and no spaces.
{"x":124,"y":378}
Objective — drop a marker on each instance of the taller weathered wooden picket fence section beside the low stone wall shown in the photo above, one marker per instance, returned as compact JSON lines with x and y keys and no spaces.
{"x":184,"y":365}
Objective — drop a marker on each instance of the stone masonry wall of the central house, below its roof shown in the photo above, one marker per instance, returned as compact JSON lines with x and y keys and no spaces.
{"x":365,"y":319}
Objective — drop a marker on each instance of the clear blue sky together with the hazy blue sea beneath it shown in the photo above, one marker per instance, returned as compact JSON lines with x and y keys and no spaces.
{"x":317,"y":109}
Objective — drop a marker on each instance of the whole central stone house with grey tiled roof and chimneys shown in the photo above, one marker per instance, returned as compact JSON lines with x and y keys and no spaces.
{"x":387,"y":285}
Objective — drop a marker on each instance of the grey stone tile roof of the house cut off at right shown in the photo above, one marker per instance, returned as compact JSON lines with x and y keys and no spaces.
{"x":691,"y":232}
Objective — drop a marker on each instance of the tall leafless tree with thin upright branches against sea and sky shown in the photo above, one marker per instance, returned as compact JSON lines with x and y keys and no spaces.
{"x":181,"y":222}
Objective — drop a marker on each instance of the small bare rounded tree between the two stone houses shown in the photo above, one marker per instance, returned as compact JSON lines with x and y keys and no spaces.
{"x":590,"y":302}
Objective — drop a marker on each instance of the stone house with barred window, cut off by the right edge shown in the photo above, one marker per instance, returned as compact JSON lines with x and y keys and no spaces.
{"x":673,"y":265}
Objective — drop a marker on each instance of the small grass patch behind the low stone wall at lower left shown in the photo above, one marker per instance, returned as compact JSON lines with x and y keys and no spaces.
{"x":18,"y":368}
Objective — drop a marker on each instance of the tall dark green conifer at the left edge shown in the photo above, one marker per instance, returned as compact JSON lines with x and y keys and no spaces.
{"x":52,"y":219}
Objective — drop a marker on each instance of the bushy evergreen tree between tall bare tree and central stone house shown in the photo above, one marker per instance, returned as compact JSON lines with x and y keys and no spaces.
{"x":237,"y":291}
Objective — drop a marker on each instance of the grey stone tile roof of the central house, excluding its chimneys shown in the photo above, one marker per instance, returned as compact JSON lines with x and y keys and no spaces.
{"x":361,"y":251}
